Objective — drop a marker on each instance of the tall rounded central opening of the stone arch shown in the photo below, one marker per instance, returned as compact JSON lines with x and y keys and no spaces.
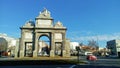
{"x":44,"y":46}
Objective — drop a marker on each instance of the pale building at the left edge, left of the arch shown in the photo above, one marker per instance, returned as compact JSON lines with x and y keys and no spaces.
{"x":8,"y":44}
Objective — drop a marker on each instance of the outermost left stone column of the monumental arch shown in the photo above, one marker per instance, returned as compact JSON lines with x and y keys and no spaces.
{"x":22,"y":44}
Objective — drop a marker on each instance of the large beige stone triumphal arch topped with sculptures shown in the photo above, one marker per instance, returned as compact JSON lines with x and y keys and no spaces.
{"x":30,"y":43}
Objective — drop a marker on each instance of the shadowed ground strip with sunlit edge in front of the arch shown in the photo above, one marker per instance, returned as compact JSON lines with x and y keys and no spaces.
{"x":41,"y":61}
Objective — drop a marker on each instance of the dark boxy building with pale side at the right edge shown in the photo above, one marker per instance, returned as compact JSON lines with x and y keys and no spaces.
{"x":114,"y":47}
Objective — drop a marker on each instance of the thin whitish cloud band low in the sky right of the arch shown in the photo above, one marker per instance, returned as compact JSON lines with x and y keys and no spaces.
{"x":104,"y":37}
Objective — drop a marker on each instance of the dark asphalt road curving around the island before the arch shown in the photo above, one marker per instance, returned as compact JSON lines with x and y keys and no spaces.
{"x":102,"y":62}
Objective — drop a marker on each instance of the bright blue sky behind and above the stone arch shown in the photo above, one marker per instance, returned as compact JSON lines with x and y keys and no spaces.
{"x":85,"y":19}
